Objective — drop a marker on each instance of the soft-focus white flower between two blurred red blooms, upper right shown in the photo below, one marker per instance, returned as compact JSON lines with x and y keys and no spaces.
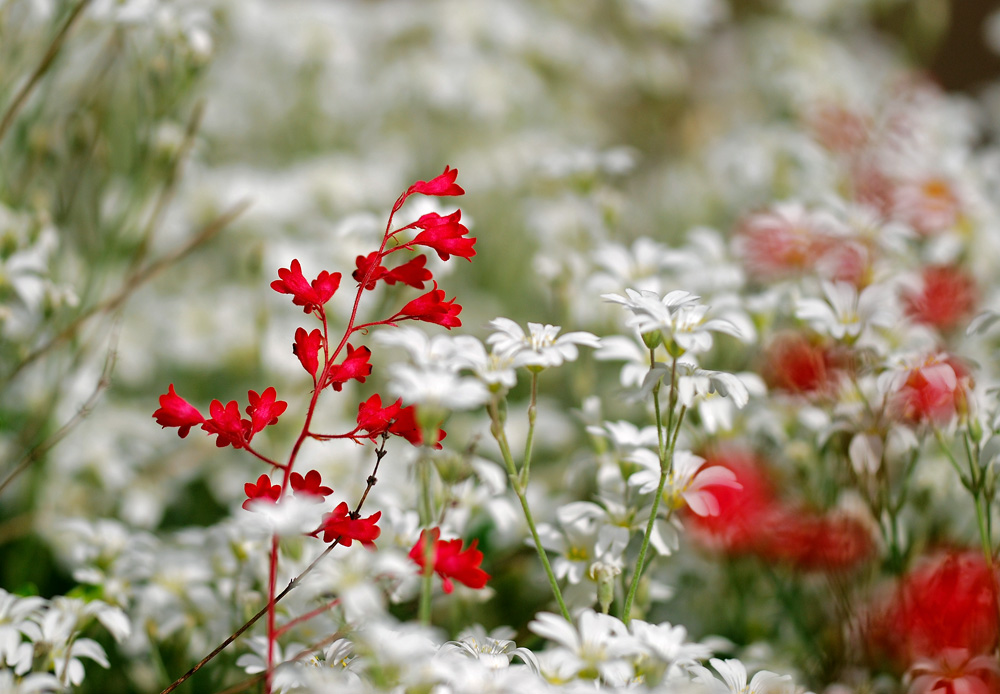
{"x":846,"y":314}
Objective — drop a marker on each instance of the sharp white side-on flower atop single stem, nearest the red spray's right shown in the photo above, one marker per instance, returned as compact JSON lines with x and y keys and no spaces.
{"x":541,"y":348}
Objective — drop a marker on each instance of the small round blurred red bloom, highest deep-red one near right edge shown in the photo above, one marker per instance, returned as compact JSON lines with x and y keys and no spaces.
{"x":948,"y":296}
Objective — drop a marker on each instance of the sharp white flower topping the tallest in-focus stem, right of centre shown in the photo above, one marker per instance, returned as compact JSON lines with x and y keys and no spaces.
{"x":678,"y":317}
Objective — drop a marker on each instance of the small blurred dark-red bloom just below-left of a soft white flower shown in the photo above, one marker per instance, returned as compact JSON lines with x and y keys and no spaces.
{"x":796,"y":364}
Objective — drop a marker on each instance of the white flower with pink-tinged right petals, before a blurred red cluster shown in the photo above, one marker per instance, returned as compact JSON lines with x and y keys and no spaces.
{"x":686,"y":483}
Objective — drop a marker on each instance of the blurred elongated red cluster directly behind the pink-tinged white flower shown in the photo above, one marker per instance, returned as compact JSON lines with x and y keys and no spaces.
{"x":753,"y":521}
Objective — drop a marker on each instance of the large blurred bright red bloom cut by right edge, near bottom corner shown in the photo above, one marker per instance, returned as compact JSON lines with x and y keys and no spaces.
{"x":948,"y":603}
